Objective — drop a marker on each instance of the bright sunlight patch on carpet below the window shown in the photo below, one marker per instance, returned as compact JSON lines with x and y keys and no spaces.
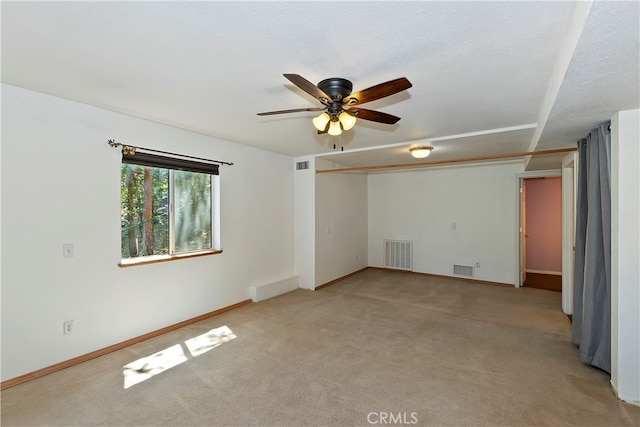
{"x":149,"y":366}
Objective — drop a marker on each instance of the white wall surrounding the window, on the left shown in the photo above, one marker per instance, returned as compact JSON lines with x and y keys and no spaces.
{"x":61,"y":184}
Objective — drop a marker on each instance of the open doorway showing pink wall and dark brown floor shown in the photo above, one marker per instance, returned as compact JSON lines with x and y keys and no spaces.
{"x":542,"y":230}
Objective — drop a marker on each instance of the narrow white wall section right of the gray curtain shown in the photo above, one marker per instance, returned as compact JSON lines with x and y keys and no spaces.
{"x":625,"y":255}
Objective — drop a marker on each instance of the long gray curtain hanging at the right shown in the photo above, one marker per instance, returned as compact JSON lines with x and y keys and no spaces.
{"x":592,"y":268}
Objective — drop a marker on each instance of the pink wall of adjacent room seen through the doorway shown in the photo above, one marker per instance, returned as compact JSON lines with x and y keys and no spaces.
{"x":544,"y":224}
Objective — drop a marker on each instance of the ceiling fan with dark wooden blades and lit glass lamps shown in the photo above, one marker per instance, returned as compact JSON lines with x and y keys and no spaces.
{"x":340,"y":105}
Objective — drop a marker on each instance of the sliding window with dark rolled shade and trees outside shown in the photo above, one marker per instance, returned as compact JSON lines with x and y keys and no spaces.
{"x":168,"y":207}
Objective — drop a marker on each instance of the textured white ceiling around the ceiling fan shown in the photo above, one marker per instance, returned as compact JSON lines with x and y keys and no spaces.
{"x":211,"y":66}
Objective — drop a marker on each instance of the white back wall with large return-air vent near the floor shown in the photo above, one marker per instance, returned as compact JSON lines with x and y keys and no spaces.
{"x":422,"y":206}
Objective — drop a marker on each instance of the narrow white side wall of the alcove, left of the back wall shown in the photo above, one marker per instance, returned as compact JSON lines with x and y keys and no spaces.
{"x":341,"y":224}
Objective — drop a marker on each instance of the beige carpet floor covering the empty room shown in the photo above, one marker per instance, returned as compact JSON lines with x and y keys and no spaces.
{"x":378,"y":346}
